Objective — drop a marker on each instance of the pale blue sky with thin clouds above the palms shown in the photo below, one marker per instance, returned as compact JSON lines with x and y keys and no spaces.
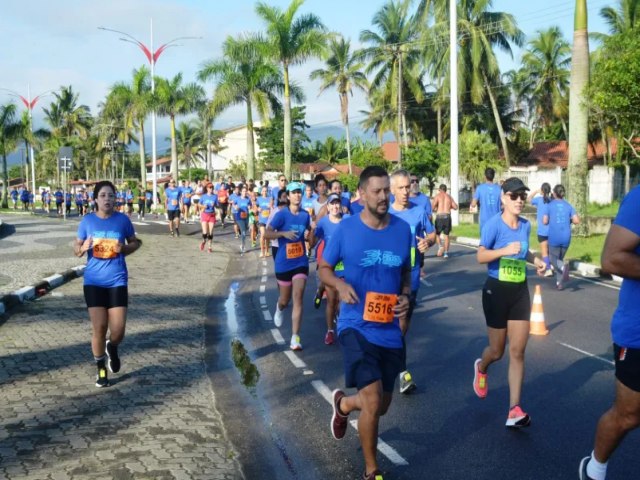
{"x":45,"y":44}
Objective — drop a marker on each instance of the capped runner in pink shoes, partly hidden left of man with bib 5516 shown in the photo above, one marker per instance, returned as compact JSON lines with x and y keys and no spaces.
{"x":323,"y":232}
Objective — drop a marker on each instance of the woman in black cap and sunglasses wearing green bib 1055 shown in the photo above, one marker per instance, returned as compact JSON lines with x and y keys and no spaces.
{"x":504,"y":247}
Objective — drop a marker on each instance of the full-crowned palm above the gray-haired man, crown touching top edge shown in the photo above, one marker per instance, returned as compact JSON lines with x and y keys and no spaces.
{"x":394,"y":55}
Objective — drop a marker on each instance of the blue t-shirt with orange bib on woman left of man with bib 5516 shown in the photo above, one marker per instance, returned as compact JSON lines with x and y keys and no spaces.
{"x":291,"y":254}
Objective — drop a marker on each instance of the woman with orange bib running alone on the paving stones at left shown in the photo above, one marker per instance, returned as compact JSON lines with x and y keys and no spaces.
{"x":107,"y":237}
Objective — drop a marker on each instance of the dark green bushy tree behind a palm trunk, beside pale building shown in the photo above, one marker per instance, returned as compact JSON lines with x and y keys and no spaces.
{"x":270,"y":139}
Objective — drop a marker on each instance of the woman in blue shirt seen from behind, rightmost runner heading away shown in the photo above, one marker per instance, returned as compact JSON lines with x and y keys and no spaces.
{"x":559,"y":216}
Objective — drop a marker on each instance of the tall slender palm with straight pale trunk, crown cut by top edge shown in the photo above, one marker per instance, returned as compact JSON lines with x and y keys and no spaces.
{"x":291,"y":40}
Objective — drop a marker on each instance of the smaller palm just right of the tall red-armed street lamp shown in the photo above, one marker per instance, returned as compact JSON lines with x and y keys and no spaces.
{"x":173,"y":98}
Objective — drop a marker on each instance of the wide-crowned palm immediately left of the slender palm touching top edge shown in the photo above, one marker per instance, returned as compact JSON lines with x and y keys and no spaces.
{"x":244,"y":75}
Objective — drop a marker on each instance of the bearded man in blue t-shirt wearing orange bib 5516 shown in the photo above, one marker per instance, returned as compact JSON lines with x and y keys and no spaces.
{"x":374,"y":295}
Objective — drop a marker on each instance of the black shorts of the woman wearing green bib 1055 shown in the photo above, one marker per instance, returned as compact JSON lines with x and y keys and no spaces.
{"x":504,"y":301}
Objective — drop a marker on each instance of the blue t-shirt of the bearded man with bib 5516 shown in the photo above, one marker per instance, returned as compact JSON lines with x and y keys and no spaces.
{"x":374,"y":263}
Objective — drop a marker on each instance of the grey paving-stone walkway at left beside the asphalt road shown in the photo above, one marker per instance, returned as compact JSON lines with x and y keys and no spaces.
{"x":158,"y":420}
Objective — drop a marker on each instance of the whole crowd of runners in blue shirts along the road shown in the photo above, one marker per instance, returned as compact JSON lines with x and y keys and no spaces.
{"x":369,"y":253}
